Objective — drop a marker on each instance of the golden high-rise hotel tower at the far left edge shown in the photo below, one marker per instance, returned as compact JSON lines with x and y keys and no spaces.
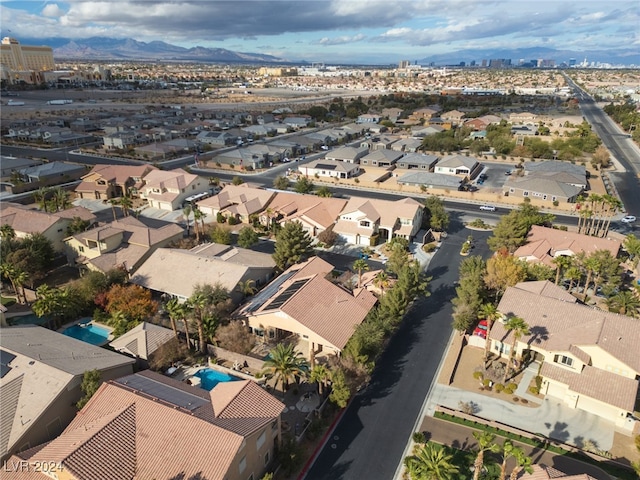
{"x":24,"y":62}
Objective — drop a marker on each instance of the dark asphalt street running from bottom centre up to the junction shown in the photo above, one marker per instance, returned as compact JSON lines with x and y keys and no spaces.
{"x":369,"y":441}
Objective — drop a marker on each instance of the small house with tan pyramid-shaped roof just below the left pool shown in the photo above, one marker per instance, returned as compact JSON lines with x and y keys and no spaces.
{"x":142,"y":341}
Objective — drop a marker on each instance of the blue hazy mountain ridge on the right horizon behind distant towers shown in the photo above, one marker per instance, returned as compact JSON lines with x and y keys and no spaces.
{"x":630,"y":56}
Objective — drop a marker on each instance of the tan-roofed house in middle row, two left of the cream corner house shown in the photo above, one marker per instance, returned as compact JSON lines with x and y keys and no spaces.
{"x":237,"y":201}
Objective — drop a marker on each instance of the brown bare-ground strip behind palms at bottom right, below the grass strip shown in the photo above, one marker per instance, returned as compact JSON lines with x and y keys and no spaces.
{"x":461,"y":437}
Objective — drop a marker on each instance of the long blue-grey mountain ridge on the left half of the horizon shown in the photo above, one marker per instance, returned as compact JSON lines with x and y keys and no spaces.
{"x":104,"y":48}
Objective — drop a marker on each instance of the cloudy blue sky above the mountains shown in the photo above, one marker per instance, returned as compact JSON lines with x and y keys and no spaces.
{"x":334,"y":31}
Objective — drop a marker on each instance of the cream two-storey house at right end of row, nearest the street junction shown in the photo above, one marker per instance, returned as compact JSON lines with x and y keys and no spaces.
{"x":370,"y":221}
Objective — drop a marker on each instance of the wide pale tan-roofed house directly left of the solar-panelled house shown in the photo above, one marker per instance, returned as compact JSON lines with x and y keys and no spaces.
{"x":176,"y":272}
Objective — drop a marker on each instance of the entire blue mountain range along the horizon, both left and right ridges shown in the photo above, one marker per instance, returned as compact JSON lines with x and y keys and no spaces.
{"x":128,"y":49}
